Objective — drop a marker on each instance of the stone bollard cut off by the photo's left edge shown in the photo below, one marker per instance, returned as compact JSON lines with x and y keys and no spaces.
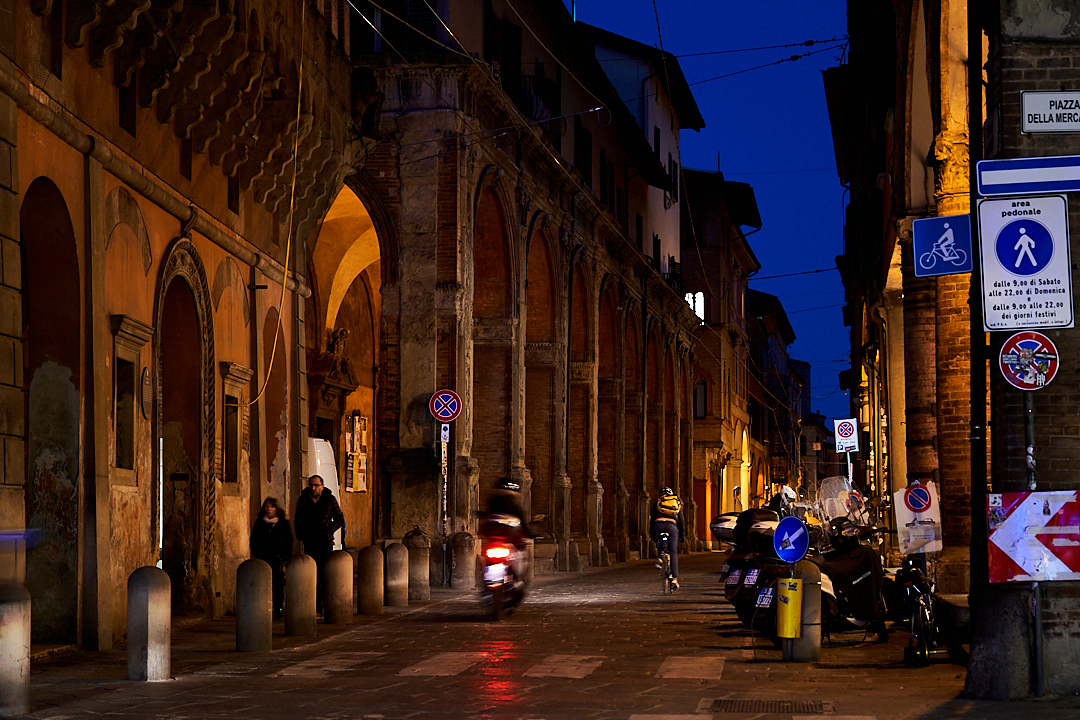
{"x":15,"y":649}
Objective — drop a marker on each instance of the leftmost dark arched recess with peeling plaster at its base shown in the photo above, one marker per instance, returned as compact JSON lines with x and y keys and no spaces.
{"x":52,"y":376}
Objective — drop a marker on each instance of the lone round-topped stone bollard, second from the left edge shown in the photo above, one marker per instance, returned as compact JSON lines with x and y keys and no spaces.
{"x":150,"y":624}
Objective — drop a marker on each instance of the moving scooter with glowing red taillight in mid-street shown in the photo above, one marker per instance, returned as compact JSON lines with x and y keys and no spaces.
{"x":506,"y":564}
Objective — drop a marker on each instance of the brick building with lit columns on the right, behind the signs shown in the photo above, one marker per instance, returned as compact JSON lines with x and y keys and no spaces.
{"x":902,"y":142}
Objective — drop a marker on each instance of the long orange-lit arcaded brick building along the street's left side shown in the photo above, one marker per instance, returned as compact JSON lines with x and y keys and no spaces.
{"x":229,"y":228}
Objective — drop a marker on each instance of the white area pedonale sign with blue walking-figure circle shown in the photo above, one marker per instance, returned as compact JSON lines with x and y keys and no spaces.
{"x":1025,"y":263}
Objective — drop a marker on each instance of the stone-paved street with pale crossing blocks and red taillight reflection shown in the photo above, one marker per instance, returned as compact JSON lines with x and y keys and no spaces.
{"x":602,"y":644}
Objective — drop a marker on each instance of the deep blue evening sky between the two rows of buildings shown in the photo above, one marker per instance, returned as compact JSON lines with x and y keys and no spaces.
{"x":769,"y":128}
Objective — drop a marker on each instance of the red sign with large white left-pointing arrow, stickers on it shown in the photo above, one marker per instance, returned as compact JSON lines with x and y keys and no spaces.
{"x":1034,"y":537}
